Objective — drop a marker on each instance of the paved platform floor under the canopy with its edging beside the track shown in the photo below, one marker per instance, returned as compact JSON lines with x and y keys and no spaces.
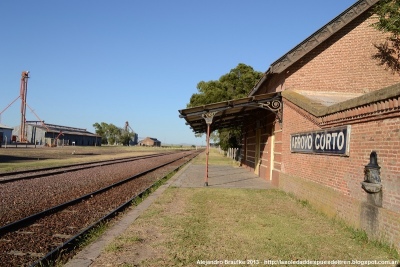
{"x":192,"y":175}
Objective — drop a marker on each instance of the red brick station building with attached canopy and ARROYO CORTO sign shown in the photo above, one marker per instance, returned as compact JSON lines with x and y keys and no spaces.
{"x":337,"y":105}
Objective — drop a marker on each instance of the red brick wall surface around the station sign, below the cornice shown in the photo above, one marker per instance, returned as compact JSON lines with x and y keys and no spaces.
{"x":333,"y":183}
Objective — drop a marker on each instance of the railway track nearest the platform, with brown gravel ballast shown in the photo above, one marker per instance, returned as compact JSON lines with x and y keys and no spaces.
{"x":39,"y":238}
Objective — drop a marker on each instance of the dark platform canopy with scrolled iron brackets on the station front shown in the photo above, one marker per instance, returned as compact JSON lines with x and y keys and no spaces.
{"x":231,"y":113}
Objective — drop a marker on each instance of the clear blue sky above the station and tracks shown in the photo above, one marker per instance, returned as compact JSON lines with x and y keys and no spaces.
{"x":140,"y":61}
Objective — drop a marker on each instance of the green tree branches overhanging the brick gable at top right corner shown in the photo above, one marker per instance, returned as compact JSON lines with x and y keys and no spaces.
{"x":388,"y":52}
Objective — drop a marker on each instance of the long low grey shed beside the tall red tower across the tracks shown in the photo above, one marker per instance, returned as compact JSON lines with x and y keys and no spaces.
{"x":56,"y":135}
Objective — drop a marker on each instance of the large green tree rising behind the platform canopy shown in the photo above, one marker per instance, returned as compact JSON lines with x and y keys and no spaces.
{"x":238,"y":83}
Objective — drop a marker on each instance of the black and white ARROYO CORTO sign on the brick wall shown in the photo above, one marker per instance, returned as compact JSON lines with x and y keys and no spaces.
{"x":329,"y":141}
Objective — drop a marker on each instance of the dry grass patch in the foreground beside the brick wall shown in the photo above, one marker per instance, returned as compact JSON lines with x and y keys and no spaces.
{"x":239,"y":224}
